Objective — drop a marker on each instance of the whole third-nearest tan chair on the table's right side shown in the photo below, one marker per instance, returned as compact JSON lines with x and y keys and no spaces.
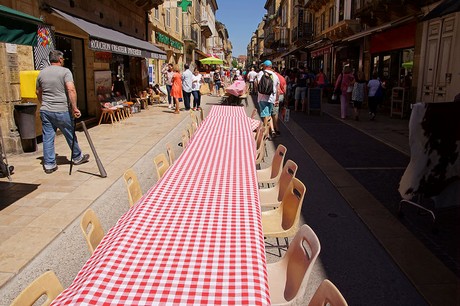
{"x":283,"y":221}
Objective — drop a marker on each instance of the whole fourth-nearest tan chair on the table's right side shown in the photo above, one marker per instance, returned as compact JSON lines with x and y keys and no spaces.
{"x":272,"y":197}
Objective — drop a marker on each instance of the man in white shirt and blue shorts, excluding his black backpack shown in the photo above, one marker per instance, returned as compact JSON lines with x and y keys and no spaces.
{"x":267,"y":102}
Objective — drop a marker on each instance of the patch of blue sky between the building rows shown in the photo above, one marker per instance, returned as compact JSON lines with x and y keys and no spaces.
{"x":241,"y":18}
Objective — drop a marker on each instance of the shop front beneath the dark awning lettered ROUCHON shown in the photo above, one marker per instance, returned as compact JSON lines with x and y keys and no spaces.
{"x":103,"y":61}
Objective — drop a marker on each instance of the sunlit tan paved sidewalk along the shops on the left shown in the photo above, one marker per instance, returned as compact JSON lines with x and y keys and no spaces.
{"x":40,"y":206}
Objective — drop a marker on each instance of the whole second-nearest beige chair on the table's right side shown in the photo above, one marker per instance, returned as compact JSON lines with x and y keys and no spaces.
{"x":288,"y":278}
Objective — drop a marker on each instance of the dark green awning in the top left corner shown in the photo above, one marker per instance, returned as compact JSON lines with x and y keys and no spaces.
{"x":17,"y":27}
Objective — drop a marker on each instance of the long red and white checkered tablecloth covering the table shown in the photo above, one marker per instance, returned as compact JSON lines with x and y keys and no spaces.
{"x":194,"y":238}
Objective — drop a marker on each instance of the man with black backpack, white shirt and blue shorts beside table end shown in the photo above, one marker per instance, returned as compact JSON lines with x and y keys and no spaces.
{"x":267,"y":93}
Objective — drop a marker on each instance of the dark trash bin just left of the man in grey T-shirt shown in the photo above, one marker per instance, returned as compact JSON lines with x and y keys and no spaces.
{"x":24,"y":115}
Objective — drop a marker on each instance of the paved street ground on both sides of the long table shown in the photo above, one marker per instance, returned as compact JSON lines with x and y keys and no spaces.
{"x":366,"y":251}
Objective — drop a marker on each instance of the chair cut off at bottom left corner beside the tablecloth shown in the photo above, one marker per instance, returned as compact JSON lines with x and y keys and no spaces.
{"x":46,"y":284}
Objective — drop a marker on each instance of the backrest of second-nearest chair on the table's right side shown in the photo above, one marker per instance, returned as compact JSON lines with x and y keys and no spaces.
{"x":300,"y":259}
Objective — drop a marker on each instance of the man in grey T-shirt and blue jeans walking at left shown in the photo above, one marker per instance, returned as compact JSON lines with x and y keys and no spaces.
{"x":58,"y":97}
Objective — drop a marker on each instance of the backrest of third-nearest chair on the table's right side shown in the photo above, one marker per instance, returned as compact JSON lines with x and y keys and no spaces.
{"x":291,"y":205}
